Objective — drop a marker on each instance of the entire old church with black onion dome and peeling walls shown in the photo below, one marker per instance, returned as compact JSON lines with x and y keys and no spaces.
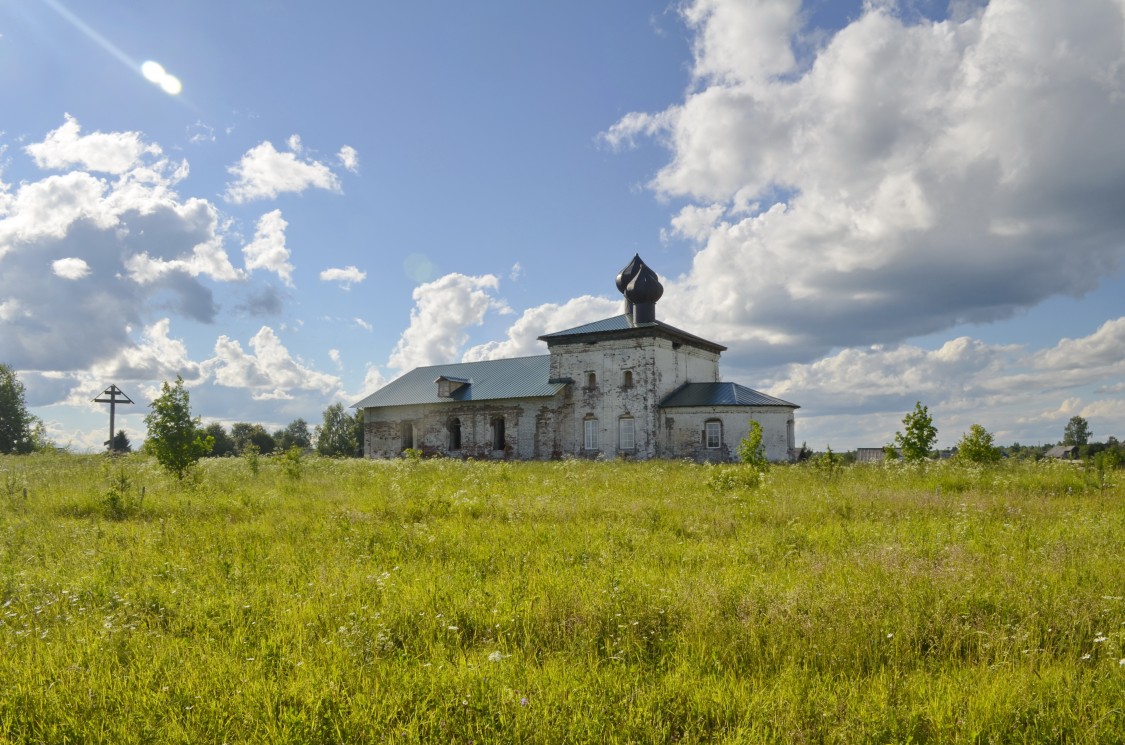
{"x":626,"y":387}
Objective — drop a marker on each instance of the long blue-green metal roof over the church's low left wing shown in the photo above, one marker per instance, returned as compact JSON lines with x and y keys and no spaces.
{"x":521,"y":378}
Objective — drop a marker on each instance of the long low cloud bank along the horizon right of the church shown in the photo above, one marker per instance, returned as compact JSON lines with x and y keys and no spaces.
{"x":857,"y":398}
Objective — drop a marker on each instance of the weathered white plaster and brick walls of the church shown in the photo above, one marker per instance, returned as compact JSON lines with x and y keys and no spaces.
{"x":554,"y":427}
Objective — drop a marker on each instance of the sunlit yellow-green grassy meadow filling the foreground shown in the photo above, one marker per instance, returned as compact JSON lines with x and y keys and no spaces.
{"x":296,"y":599}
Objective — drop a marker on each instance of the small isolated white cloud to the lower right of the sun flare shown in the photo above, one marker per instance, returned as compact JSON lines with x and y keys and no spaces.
{"x":264,"y":174}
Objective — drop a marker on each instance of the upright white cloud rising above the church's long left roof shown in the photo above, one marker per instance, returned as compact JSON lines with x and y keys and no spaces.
{"x":443,"y":311}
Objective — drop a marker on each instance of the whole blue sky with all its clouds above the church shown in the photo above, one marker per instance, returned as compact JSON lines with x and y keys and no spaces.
{"x":870,"y":203}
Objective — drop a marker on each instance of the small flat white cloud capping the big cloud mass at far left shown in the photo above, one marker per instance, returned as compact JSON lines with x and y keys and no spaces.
{"x":107,"y":152}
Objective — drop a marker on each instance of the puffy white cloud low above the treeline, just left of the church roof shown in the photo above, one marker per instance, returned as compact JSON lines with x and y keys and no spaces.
{"x":269,"y":371}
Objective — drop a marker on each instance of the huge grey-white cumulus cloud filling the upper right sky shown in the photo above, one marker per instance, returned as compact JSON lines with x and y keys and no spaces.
{"x":902,"y":178}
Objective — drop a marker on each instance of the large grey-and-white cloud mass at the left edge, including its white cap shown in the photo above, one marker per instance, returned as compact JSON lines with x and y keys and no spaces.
{"x":138,"y":248}
